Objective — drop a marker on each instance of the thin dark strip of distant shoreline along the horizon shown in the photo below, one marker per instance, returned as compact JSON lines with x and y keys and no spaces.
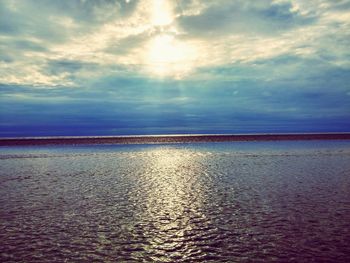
{"x":158,"y":139}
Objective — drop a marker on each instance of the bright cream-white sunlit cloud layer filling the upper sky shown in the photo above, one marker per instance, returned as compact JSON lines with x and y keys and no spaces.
{"x":138,"y":37}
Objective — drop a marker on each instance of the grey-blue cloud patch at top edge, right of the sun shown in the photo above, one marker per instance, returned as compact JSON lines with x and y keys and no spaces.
{"x":247,"y":17}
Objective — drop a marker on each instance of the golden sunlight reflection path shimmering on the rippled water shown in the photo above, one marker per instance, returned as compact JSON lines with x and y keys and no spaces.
{"x":173,"y":203}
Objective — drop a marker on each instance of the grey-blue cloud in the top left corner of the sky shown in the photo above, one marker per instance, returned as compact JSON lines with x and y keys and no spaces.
{"x":47,"y":20}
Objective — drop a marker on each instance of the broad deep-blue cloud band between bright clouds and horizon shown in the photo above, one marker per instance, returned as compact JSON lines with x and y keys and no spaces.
{"x":130,"y":105}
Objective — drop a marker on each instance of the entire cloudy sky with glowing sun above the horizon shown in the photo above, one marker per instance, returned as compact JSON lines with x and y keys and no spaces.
{"x":124,"y":67}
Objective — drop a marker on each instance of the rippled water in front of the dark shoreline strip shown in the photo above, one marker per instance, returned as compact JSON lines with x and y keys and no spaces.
{"x":225,"y":202}
